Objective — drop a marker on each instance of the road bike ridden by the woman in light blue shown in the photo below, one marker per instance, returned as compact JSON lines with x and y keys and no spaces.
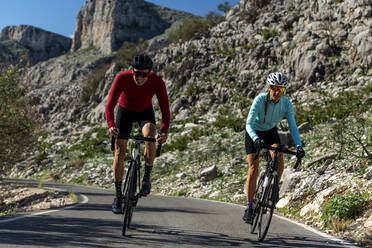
{"x":267,"y":191}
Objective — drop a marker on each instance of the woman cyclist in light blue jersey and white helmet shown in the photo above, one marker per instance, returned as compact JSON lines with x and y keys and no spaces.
{"x":267,"y":110}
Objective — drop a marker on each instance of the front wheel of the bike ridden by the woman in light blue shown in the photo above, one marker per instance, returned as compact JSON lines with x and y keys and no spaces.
{"x":267,"y":207}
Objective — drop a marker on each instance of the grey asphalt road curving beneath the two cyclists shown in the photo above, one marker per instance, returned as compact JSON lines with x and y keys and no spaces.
{"x":158,"y":221}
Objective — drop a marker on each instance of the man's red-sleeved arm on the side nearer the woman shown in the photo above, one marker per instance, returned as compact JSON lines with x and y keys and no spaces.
{"x":161,"y":94}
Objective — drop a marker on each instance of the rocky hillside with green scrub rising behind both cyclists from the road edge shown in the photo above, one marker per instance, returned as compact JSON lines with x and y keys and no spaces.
{"x":325,"y":49}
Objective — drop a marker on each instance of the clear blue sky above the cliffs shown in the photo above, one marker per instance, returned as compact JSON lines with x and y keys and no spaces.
{"x":59,"y":16}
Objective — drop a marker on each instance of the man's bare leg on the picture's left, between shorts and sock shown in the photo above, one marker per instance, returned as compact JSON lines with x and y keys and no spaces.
{"x":118,"y":165}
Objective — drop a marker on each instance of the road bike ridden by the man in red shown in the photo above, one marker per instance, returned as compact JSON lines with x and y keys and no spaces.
{"x":131,"y":189}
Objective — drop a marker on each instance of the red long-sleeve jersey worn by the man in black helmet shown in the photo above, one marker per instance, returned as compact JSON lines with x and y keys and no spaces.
{"x":137,"y":98}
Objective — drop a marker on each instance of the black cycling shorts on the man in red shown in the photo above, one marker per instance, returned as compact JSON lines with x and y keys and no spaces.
{"x":125,"y":119}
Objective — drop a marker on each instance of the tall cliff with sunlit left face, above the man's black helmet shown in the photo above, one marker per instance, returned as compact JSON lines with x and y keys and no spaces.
{"x":106,"y":24}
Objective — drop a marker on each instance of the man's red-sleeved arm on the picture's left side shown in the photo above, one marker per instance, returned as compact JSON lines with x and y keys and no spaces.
{"x":112,"y":101}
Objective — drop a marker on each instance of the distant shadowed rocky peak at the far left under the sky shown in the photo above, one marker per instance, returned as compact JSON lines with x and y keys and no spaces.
{"x":32,"y":43}
